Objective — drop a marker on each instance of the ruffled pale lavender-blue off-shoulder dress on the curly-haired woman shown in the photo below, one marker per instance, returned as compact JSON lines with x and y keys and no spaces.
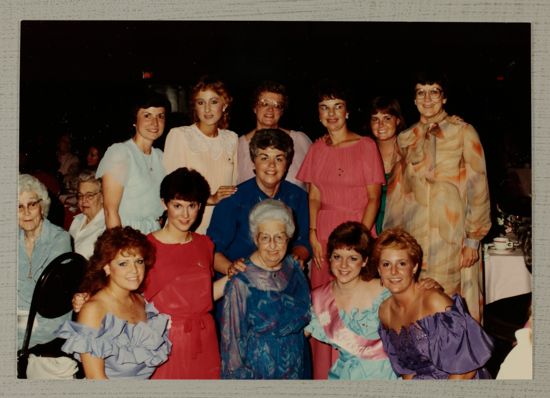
{"x":129,"y":350}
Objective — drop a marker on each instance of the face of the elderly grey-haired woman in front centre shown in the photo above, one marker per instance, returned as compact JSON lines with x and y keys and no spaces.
{"x":272,"y":242}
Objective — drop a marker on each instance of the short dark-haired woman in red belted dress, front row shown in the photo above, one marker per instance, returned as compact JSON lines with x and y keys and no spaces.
{"x":180,"y":283}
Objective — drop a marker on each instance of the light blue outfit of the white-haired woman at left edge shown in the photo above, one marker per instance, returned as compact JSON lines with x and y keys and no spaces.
{"x":52,"y":242}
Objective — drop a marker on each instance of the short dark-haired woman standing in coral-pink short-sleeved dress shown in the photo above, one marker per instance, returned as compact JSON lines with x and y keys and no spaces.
{"x":344,"y":174}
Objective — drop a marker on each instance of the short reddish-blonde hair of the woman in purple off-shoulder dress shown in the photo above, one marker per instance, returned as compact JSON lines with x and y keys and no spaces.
{"x":398,"y":239}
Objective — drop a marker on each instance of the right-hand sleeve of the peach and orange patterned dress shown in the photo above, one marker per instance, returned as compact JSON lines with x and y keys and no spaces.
{"x":478,"y":218}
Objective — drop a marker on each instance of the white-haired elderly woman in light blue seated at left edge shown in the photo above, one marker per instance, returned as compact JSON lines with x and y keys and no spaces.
{"x":39,"y":243}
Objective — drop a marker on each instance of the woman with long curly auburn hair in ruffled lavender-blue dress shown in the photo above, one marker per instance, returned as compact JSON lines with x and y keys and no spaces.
{"x":118,"y":334}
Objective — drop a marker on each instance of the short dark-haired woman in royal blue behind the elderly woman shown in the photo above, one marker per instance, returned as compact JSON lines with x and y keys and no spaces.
{"x":271,"y":151}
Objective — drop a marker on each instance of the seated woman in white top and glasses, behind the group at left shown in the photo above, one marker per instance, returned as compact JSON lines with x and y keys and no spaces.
{"x":90,"y":223}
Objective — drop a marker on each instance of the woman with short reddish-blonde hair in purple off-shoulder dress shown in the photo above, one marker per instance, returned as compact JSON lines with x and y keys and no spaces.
{"x":426,"y":334}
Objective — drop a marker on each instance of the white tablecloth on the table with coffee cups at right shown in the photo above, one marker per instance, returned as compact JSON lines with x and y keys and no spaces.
{"x":505,"y":275}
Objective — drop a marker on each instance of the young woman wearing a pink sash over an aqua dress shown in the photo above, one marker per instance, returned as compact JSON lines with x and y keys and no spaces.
{"x":345,"y":310}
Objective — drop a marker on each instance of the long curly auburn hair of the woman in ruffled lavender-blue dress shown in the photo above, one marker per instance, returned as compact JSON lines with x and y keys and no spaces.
{"x":106,"y":248}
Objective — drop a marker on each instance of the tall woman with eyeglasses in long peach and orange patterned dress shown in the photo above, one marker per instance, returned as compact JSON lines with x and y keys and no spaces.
{"x":439,"y":192}
